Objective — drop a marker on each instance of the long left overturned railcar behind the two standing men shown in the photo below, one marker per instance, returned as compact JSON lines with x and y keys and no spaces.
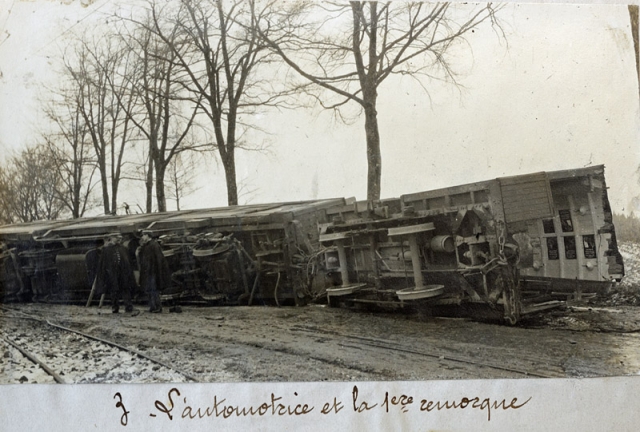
{"x":231,"y":255}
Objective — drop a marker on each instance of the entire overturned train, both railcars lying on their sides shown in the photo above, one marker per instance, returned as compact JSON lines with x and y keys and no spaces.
{"x":508,"y":246}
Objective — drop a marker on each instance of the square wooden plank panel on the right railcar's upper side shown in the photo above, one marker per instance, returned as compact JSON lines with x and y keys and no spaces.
{"x":526,"y":197}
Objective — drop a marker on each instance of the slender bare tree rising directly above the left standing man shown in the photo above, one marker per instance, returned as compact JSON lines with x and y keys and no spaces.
{"x":97,"y":68}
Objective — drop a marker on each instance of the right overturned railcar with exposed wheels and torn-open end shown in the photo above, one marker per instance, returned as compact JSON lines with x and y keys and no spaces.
{"x":513,"y":245}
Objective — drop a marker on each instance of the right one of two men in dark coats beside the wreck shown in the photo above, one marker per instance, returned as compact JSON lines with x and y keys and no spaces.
{"x":155,"y":275}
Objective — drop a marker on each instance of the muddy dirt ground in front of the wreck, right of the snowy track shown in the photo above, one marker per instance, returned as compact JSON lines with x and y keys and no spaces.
{"x":318,"y":343}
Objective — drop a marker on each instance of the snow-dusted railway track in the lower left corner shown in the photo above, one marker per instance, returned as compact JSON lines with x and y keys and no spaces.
{"x":71,"y":356}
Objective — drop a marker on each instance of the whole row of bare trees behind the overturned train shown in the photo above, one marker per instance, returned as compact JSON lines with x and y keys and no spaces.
{"x":142,"y":93}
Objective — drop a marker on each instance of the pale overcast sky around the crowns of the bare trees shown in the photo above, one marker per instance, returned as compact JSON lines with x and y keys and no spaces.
{"x":560,"y":93}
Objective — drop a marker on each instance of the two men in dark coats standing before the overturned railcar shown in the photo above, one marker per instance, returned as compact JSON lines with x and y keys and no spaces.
{"x":115,"y":273}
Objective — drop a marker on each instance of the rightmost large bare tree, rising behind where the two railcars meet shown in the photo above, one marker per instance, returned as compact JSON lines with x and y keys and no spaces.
{"x":351,"y":49}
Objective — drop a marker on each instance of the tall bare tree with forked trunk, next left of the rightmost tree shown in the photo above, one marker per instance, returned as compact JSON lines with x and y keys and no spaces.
{"x":217,"y":46}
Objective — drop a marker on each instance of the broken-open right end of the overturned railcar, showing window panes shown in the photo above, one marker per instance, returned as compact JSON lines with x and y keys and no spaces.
{"x":576,"y":240}
